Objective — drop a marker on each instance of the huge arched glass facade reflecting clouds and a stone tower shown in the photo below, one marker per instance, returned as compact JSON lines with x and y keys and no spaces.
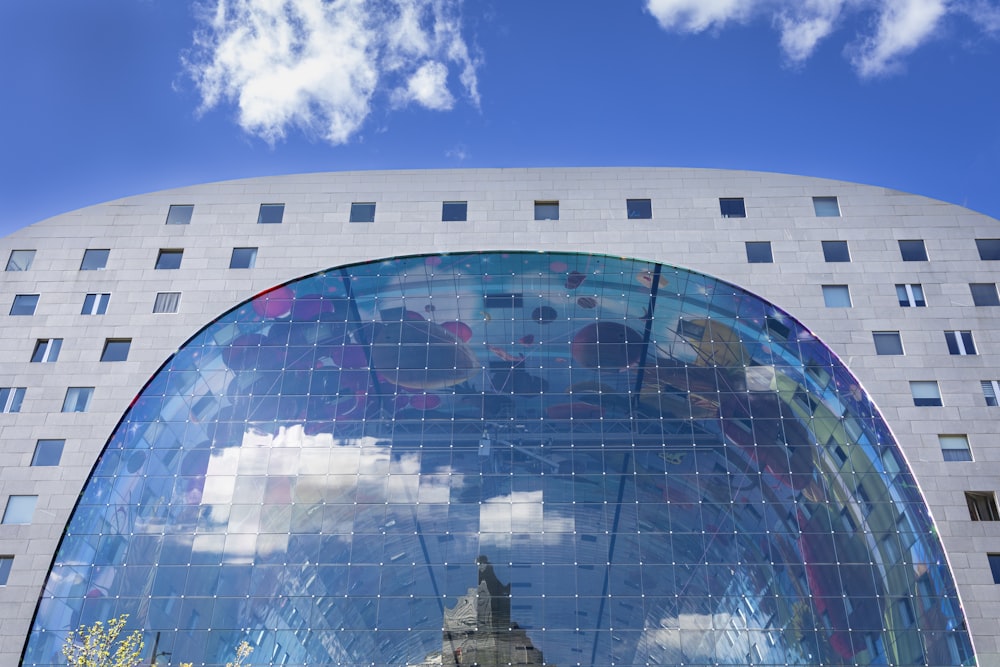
{"x":494,"y":459}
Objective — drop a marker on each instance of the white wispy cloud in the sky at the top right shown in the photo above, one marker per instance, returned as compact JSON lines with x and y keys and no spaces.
{"x":900,"y":26}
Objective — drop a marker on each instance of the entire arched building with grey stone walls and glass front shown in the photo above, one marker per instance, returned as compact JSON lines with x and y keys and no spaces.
{"x":511,"y":416}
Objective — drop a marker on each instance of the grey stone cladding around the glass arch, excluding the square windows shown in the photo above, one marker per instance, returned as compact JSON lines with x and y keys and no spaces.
{"x":686,"y":229}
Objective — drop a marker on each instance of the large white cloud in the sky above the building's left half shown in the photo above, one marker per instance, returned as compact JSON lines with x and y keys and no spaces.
{"x":318,"y":65}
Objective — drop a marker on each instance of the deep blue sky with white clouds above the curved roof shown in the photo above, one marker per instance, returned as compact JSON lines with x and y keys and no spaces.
{"x":108,"y":98}
